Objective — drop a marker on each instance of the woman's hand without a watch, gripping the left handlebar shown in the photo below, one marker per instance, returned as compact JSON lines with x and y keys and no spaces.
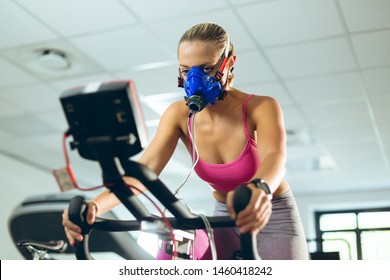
{"x":72,"y":231}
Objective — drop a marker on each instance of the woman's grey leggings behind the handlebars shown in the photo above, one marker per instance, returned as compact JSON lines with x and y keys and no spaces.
{"x":282,"y":238}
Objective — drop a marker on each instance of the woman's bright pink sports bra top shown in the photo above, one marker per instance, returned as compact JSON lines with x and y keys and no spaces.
{"x":226,"y":177}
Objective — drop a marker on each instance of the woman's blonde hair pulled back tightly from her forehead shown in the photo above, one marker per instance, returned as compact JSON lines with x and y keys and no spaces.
{"x":208,"y":32}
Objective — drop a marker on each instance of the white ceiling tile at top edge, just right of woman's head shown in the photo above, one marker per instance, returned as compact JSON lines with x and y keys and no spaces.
{"x":302,"y":19}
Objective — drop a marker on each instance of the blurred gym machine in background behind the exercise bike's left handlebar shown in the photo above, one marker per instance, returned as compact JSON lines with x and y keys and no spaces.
{"x":36,"y":228}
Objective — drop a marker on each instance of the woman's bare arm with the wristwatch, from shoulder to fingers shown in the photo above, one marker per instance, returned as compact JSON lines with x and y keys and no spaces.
{"x":266,"y":119}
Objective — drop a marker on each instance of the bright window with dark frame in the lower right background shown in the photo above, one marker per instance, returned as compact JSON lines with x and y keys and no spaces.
{"x":360,"y":234}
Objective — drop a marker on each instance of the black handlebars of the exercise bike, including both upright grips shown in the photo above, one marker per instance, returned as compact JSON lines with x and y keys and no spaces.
{"x":183,"y":217}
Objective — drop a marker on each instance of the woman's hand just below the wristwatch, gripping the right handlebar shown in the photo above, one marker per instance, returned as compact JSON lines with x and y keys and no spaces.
{"x":255,"y":215}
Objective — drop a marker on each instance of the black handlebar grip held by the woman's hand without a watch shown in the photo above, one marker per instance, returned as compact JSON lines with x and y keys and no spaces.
{"x":77,"y":212}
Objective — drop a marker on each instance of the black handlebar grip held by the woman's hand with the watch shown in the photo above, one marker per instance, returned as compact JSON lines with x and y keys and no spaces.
{"x":241,"y":198}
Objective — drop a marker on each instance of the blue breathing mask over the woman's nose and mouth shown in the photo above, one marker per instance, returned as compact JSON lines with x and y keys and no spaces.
{"x":202,"y":90}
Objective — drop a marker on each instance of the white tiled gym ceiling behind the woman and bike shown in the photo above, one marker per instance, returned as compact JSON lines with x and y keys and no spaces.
{"x":326,"y":61}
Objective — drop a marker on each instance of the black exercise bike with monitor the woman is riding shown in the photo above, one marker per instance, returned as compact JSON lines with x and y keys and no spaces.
{"x":106,"y":124}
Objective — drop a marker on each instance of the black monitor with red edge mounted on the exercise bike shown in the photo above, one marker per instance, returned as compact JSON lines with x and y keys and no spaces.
{"x":105,"y":115}
